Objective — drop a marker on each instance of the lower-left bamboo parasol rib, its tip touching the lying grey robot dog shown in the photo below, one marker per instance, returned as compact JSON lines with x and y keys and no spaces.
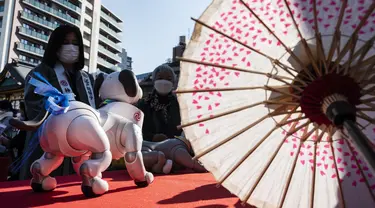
{"x":197,"y":156}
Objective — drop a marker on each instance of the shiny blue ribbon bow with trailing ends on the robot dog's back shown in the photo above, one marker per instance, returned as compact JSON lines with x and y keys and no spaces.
{"x":56,"y":103}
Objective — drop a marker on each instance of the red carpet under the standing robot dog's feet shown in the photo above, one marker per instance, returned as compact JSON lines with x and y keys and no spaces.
{"x":184,"y":190}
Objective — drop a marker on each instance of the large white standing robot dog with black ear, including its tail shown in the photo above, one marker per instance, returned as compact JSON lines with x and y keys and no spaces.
{"x":93,"y":137}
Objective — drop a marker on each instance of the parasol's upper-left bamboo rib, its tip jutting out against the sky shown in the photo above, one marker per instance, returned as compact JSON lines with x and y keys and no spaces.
{"x":285,"y":68}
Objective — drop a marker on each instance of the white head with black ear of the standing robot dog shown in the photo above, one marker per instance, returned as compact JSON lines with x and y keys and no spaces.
{"x":120,"y":86}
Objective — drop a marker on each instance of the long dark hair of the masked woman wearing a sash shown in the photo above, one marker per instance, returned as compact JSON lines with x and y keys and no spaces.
{"x":56,"y":40}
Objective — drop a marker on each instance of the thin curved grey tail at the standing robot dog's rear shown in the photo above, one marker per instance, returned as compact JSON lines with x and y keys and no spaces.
{"x":31,"y":125}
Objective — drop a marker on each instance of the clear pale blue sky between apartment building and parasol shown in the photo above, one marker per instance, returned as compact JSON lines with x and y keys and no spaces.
{"x":151,"y":28}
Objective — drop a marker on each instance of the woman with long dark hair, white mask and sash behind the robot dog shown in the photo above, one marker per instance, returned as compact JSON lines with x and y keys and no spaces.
{"x":61,"y":66}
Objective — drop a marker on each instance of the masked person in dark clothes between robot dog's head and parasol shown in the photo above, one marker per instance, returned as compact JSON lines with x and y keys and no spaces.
{"x":160,"y":108}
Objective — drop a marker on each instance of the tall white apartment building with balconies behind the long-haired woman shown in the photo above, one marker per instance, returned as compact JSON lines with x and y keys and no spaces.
{"x":25,"y":26}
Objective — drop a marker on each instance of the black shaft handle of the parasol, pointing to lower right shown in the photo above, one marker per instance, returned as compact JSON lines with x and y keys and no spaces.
{"x":342,"y":113}
